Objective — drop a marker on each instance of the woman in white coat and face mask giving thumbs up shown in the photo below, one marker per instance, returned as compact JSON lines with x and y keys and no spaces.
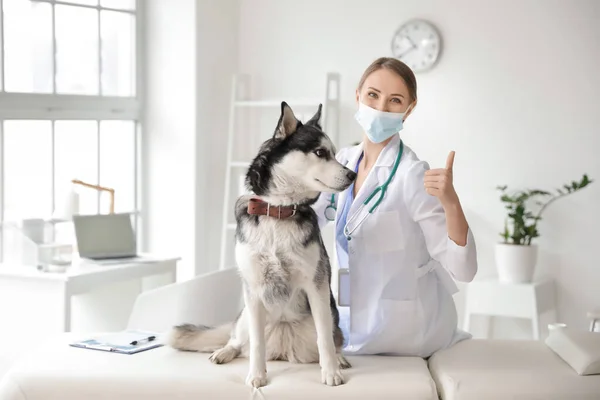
{"x":401,"y":235}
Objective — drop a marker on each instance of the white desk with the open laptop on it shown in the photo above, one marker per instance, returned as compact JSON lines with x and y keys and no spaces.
{"x":81,"y":277}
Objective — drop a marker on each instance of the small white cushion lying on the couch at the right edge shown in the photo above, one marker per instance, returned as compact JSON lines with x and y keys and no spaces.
{"x":580,"y":349}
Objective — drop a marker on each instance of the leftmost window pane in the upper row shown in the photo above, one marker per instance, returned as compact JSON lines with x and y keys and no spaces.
{"x":28,"y":46}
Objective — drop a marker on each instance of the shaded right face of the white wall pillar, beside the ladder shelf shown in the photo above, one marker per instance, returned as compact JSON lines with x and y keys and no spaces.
{"x":218,"y":27}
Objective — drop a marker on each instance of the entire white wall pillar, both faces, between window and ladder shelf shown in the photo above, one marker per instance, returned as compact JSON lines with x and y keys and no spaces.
{"x":191,"y":50}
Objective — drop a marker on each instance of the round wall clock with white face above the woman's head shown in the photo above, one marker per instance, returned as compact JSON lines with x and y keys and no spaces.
{"x":418,"y":44}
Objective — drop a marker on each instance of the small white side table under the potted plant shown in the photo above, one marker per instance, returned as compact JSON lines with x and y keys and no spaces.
{"x":519,"y":300}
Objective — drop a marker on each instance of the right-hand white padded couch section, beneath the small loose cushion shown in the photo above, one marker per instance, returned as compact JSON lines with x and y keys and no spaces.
{"x":507,"y":369}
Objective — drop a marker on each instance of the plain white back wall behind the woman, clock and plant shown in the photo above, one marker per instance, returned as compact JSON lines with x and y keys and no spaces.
{"x":515,"y":95}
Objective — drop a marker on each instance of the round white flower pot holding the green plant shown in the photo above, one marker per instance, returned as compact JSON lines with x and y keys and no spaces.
{"x":516,"y":263}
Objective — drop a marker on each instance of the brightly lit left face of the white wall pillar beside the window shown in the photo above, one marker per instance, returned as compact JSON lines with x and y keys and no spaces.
{"x":170,"y":130}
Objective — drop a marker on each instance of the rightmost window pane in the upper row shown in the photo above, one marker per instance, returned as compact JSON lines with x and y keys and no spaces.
{"x":118,"y":53}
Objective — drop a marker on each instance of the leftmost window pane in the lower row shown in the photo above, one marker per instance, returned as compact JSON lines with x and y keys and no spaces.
{"x":27,"y":169}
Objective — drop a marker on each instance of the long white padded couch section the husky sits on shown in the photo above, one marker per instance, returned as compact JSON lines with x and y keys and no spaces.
{"x":57,"y":371}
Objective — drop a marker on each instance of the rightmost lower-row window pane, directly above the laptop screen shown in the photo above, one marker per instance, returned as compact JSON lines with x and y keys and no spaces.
{"x":117,"y":164}
